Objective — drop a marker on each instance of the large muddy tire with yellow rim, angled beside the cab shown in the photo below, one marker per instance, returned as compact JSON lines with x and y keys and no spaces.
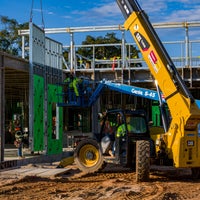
{"x":88,"y":156}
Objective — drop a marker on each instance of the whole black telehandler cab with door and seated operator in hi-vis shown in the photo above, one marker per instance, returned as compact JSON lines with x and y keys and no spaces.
{"x":120,"y":129}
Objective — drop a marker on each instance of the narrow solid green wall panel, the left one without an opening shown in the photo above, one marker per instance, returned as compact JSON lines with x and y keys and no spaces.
{"x":38,"y":122}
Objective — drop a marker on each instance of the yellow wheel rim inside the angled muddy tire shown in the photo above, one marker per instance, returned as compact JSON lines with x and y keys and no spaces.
{"x":89,"y":155}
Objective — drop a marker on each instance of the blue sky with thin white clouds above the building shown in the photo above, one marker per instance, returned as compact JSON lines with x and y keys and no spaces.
{"x":81,"y":13}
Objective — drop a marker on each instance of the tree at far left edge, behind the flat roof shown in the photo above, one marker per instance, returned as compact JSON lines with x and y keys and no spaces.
{"x":10,"y":41}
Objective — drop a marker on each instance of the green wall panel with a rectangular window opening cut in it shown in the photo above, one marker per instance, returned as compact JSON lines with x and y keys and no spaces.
{"x":55,"y":143}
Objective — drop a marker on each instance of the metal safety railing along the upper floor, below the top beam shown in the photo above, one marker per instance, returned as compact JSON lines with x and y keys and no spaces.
{"x":182,"y":54}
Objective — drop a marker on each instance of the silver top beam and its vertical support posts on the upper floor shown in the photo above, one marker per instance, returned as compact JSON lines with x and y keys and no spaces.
{"x":71,"y":30}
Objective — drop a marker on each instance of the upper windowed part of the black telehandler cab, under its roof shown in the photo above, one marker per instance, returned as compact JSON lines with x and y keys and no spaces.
{"x":134,"y":124}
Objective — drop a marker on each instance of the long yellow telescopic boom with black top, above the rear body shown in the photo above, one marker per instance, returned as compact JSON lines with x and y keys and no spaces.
{"x":155,"y":55}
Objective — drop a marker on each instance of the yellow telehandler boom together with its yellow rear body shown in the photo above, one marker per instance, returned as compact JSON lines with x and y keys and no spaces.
{"x":183,"y":136}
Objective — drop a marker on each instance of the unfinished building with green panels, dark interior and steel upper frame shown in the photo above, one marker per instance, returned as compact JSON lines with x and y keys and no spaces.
{"x":31,"y":91}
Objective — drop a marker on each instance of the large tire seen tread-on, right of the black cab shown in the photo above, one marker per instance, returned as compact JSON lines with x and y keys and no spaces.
{"x":142,"y":160}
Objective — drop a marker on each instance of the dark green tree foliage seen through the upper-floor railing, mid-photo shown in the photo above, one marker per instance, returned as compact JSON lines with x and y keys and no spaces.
{"x":97,"y":47}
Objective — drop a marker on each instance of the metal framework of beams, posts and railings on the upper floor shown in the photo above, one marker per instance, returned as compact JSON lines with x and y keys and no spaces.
{"x":186,"y":58}
